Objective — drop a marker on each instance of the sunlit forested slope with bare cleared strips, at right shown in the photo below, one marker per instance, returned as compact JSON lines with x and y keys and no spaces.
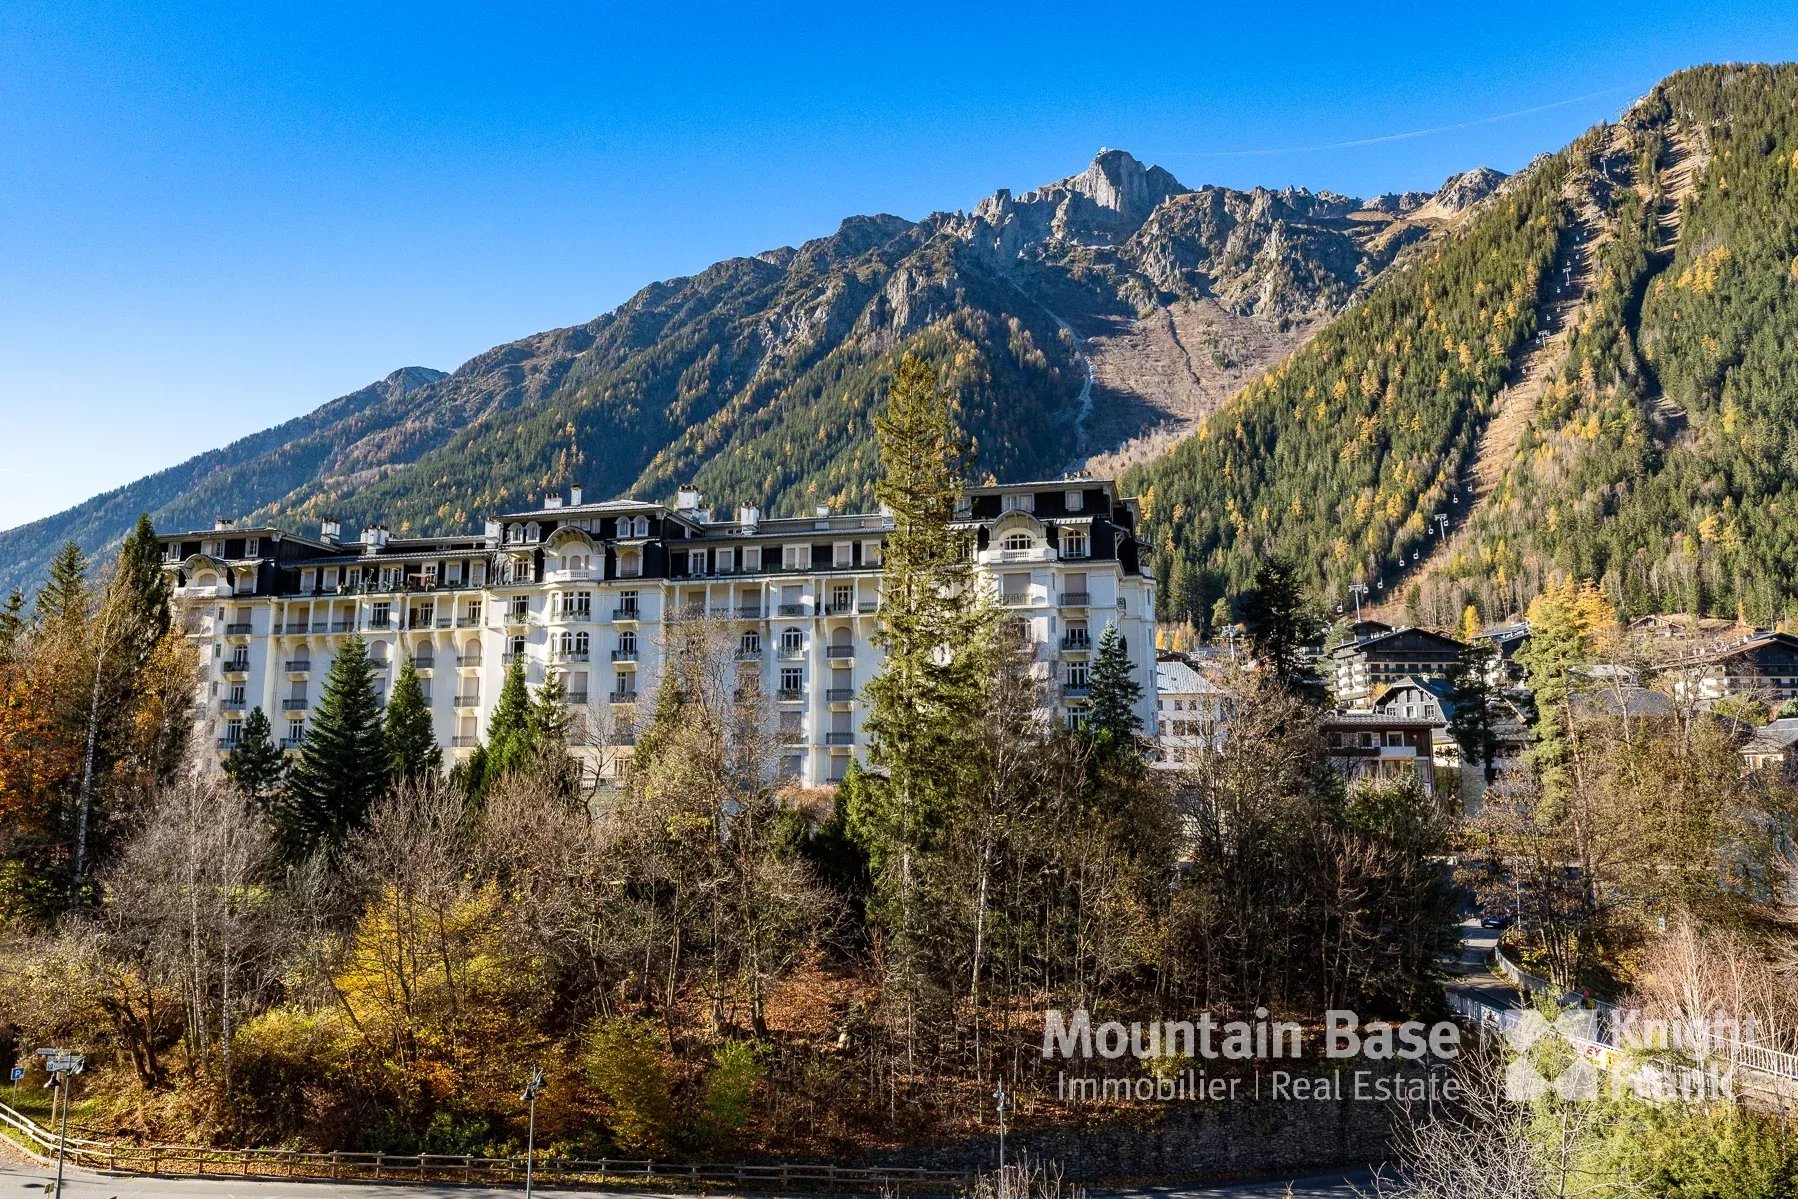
{"x":1624,"y":310}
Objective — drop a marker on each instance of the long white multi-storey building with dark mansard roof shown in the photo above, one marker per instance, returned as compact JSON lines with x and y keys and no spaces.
{"x":585,"y":591}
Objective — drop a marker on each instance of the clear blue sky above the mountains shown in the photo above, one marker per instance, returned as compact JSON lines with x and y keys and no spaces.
{"x":218,"y":217}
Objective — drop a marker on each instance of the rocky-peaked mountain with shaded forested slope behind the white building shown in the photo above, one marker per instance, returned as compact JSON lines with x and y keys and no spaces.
{"x":1074,"y":319}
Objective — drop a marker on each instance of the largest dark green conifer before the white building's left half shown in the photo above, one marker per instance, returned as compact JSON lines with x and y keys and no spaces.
{"x":344,"y":761}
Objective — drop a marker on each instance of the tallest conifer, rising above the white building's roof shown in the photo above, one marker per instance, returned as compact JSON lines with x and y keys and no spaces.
{"x":923,"y":704}
